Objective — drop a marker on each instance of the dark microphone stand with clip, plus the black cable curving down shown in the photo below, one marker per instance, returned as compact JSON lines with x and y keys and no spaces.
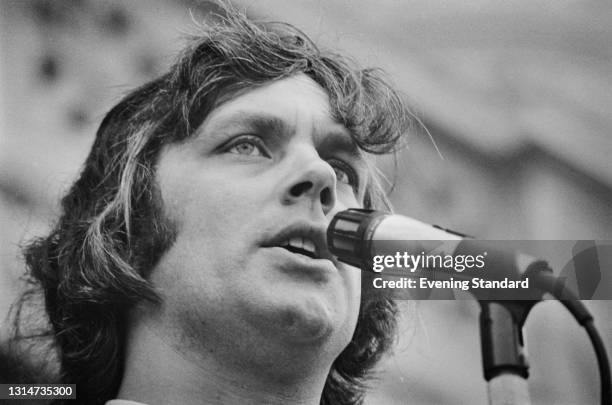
{"x":502,"y":319}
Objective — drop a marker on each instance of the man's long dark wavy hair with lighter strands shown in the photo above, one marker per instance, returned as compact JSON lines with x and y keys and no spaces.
{"x":93,"y":266}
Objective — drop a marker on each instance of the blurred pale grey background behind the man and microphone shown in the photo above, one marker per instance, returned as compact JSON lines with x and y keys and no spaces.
{"x":516,"y":94}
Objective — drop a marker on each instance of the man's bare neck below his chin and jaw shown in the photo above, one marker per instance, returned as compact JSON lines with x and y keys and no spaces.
{"x":159,"y":370}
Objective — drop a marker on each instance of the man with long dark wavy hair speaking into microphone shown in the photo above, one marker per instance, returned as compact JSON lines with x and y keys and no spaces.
{"x":190,"y":263}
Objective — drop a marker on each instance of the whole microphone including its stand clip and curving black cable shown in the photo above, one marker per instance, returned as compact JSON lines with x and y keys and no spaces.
{"x":358,"y":236}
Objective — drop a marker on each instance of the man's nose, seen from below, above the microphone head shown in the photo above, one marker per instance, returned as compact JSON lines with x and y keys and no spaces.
{"x":314,"y":183}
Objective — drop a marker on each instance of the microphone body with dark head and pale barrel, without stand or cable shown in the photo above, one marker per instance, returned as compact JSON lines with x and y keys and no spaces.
{"x":377,"y":241}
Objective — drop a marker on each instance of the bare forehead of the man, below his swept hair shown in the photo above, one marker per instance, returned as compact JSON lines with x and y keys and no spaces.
{"x":296,"y":102}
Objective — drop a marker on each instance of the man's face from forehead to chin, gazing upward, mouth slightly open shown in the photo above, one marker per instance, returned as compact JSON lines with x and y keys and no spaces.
{"x":251,"y":194}
